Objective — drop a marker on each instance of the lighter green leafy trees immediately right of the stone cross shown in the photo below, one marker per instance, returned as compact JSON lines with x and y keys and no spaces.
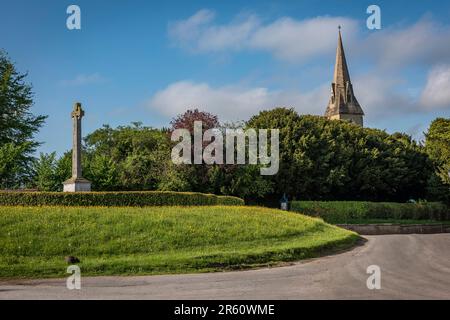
{"x":126,"y":158}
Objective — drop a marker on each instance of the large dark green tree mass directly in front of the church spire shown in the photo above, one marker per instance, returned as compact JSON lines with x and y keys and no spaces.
{"x":323,"y":159}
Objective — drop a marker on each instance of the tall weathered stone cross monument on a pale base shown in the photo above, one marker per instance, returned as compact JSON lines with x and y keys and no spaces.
{"x":77,"y":182}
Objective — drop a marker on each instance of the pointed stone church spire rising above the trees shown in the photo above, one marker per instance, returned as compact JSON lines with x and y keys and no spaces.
{"x":343,"y":104}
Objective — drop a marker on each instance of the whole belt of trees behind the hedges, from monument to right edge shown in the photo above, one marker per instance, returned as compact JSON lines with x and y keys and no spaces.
{"x":319,"y":160}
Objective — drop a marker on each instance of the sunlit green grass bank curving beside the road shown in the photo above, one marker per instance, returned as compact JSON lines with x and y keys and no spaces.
{"x":156,"y":240}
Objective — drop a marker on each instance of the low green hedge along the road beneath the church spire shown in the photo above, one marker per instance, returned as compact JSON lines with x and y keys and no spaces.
{"x":343,"y":211}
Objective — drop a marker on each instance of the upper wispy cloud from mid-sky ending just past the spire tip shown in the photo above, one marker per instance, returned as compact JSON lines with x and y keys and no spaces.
{"x":286,"y":38}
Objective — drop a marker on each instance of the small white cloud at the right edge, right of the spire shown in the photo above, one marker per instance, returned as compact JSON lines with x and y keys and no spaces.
{"x":436,"y":93}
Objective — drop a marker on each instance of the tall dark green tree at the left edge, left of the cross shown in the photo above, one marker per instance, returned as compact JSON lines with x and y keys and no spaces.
{"x":17,"y":125}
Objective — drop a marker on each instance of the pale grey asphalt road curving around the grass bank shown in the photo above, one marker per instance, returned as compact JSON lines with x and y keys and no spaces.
{"x":412,"y":267}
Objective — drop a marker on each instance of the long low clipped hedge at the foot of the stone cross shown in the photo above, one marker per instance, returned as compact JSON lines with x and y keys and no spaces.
{"x":120,"y":199}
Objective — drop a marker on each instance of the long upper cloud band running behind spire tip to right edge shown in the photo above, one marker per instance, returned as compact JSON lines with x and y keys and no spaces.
{"x":289,"y":39}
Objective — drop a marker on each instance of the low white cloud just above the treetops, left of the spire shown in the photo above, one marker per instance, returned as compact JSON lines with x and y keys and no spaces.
{"x":233,"y":103}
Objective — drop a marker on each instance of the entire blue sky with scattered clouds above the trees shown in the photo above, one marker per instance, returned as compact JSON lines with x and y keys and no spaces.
{"x":149,"y":61}
